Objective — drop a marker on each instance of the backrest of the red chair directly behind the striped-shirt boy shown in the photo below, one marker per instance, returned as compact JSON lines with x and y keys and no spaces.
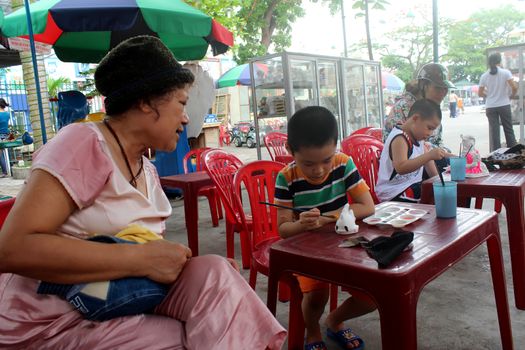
{"x":259,"y":180}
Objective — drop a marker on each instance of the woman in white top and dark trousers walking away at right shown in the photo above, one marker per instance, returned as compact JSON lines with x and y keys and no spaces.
{"x":497,"y":87}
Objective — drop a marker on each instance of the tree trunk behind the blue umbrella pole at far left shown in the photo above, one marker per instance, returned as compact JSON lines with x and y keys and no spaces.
{"x":30,"y":84}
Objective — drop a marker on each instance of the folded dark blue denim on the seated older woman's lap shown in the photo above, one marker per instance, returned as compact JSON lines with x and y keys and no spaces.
{"x":125,"y":296}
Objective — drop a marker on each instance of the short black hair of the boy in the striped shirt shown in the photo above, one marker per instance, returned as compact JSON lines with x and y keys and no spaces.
{"x":313,"y":126}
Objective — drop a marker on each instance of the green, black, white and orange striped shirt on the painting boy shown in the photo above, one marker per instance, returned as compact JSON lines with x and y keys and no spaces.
{"x":292,"y":188}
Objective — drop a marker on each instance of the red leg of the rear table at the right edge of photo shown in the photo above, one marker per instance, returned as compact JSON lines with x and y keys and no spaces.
{"x":515,"y":224}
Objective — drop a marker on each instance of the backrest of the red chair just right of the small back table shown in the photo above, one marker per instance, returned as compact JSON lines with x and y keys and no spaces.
{"x":222,"y":167}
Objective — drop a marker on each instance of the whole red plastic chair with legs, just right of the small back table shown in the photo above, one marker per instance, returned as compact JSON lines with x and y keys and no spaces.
{"x":221,"y":167}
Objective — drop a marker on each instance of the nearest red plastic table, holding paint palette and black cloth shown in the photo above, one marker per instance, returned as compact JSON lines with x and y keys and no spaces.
{"x":438,"y":244}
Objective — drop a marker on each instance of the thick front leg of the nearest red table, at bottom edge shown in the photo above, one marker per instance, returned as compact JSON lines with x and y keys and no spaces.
{"x":398,"y":319}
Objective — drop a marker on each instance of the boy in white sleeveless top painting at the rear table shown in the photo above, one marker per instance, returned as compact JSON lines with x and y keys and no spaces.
{"x":404,"y":155}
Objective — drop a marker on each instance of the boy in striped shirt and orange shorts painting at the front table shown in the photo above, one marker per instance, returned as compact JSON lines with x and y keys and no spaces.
{"x":319,"y":180}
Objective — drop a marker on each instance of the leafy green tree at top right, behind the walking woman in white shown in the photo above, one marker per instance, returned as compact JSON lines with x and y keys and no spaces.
{"x":467,"y":40}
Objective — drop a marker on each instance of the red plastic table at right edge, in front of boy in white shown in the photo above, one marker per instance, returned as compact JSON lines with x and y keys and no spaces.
{"x":509,"y":187}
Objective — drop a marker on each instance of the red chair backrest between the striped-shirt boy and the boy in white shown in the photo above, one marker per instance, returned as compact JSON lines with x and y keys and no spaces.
{"x":366,"y":151}
